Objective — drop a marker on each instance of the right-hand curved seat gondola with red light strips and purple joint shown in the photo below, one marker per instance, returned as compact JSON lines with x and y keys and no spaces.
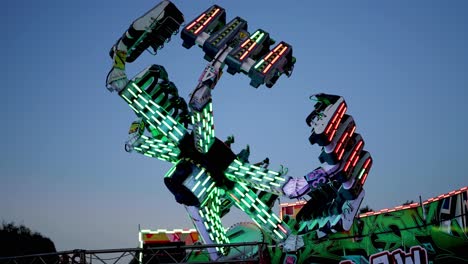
{"x":335,"y":189}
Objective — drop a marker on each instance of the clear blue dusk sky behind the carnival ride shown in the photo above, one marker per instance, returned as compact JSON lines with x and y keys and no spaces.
{"x":401,"y":66}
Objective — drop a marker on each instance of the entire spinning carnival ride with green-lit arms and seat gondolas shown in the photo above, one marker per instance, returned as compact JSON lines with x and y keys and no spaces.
{"x":207,"y":177}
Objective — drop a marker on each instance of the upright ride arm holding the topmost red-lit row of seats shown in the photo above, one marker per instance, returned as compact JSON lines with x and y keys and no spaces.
{"x":229,"y":43}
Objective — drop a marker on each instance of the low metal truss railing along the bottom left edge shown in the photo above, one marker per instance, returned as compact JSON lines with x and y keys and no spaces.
{"x":251,"y":252}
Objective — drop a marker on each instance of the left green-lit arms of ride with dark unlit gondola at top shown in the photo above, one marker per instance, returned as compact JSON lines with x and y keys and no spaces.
{"x":150,"y":94}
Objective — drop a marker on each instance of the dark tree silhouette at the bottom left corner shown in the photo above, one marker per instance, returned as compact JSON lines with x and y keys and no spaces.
{"x":20,"y":240}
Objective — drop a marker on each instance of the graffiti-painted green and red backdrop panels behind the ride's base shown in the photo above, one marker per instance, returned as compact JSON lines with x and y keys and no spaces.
{"x":436,"y":232}
